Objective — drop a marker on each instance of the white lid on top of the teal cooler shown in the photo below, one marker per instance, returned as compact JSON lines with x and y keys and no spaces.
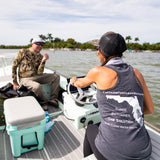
{"x":21,"y":110}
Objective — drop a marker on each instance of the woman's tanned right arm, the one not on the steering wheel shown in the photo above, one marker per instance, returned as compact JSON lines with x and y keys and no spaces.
{"x":148,"y":106}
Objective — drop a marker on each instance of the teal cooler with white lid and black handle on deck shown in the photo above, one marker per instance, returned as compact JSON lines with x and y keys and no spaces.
{"x":25,"y":120}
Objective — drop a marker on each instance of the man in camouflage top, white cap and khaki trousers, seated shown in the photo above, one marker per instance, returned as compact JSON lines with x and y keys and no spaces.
{"x":30,"y":64}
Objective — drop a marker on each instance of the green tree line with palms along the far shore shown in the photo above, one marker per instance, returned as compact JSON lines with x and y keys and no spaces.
{"x":70,"y":43}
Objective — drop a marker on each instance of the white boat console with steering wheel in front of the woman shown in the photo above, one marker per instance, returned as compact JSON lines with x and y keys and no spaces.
{"x":79,"y":105}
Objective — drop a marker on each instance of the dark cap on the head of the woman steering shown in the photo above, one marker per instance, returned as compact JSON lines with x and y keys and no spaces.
{"x":113,"y":44}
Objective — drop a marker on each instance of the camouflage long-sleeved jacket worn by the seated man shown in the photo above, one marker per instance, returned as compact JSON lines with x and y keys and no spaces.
{"x":28,"y":64}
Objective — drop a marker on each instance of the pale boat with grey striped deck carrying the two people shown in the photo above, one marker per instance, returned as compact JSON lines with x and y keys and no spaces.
{"x":77,"y":109}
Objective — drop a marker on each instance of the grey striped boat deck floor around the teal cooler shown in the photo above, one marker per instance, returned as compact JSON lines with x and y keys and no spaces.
{"x":62,"y":142}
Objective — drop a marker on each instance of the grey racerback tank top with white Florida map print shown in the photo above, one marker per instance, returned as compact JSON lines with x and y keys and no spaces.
{"x":122,"y":134}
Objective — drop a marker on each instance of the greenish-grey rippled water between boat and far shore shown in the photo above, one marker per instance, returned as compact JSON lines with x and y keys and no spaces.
{"x":78,"y":63}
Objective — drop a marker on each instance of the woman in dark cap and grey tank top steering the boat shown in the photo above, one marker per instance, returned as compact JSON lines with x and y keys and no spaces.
{"x":123,"y":99}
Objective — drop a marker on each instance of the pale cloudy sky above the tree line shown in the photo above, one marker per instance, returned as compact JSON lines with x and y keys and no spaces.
{"x":82,"y":20}
